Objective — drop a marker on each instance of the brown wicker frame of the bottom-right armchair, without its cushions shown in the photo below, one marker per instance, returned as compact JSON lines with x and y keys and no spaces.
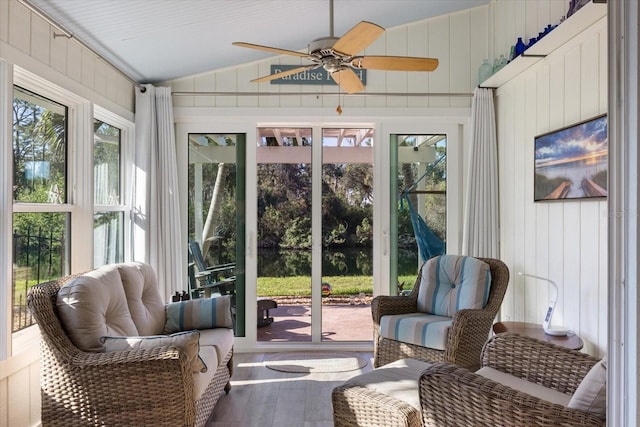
{"x":454,"y":396}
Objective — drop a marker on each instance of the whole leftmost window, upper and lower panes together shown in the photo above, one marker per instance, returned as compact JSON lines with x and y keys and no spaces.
{"x":41,"y":216}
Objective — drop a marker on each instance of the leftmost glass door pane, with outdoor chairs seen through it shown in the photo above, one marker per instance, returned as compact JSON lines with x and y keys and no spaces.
{"x":216,"y":226}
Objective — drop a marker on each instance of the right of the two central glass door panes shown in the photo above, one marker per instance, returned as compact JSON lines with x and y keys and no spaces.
{"x":347,"y":238}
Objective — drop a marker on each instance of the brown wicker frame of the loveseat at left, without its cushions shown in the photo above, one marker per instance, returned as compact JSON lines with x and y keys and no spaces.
{"x":134,"y":387}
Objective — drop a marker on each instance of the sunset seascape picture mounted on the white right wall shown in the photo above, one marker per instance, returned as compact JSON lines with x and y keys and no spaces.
{"x":571,"y":163}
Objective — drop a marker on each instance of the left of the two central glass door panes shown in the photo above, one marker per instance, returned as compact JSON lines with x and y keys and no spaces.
{"x":284,"y":172}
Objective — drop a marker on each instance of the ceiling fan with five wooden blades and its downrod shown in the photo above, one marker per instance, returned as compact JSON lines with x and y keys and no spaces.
{"x":338,"y":56}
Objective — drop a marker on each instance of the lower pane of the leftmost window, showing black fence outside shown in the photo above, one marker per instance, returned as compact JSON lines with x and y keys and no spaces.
{"x":40,"y":254}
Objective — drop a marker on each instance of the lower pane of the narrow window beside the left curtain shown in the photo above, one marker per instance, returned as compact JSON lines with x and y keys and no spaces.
{"x":108,"y":233}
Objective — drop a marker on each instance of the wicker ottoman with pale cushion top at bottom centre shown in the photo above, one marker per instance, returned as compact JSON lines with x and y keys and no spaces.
{"x":387,"y":396}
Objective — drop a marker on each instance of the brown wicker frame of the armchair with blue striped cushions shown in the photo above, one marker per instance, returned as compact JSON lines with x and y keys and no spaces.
{"x":467,"y":335}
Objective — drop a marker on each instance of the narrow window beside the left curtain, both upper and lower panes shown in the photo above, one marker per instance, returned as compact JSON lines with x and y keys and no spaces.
{"x":108,"y":217}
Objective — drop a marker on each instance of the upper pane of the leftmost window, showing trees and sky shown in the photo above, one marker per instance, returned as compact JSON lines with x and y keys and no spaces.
{"x":39,"y":149}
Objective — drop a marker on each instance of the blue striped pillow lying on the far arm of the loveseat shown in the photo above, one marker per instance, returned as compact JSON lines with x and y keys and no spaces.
{"x":201,"y":313}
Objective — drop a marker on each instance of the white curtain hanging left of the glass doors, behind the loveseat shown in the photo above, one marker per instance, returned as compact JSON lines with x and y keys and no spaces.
{"x":156,"y":236}
